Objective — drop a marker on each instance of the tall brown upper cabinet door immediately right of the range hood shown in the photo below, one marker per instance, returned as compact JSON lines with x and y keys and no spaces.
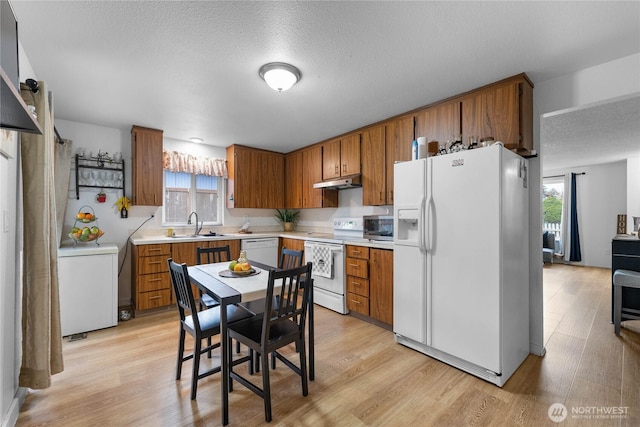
{"x":374,"y":191}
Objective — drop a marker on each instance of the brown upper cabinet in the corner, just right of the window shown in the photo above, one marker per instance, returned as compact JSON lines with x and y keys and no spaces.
{"x":255,"y":178}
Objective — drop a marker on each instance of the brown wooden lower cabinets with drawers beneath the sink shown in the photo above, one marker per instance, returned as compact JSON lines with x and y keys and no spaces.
{"x":151,"y":284}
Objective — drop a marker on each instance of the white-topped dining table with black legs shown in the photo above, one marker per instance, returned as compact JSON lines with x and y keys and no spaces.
{"x":232,"y":290}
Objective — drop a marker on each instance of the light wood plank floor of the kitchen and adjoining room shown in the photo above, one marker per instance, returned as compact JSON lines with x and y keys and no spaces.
{"x":124,"y":376}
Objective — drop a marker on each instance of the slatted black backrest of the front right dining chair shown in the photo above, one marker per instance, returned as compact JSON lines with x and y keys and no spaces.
{"x":292,"y":296}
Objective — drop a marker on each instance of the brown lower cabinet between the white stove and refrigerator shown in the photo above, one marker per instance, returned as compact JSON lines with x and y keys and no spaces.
{"x":370,"y":282}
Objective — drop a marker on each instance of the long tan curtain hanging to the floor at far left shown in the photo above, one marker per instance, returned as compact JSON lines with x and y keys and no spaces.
{"x":41,"y":333}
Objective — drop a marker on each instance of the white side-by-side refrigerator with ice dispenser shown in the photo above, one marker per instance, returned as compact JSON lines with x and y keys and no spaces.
{"x":461,"y":268}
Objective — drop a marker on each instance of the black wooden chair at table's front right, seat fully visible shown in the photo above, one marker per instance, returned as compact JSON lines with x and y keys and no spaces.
{"x":276,"y":327}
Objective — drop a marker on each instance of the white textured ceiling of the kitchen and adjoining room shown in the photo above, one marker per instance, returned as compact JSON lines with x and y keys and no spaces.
{"x":191,"y":68}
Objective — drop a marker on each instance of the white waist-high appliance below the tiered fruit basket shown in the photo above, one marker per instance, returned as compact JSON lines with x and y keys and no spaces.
{"x":88,"y":280}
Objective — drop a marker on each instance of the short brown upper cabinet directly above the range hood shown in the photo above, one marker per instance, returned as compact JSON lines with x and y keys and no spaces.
{"x":341,"y":157}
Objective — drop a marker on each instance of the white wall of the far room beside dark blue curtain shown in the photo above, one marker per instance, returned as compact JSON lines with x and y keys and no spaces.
{"x":601,"y":197}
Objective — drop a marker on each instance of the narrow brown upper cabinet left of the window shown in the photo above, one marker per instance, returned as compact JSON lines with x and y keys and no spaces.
{"x":146,"y":172}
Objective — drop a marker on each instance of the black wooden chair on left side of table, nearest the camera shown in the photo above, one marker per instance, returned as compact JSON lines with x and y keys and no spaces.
{"x":200,"y":324}
